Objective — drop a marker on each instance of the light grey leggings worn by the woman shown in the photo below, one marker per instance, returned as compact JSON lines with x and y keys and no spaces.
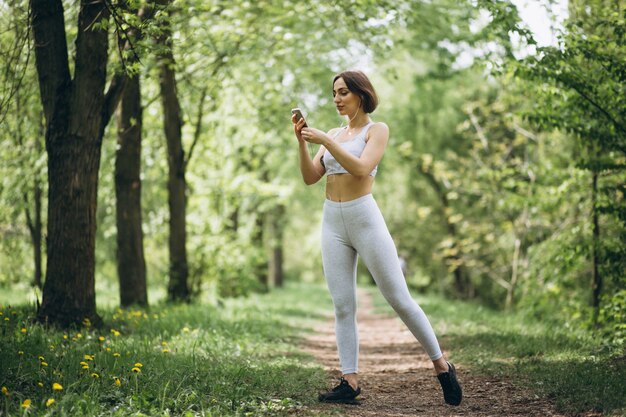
{"x":357,"y":227}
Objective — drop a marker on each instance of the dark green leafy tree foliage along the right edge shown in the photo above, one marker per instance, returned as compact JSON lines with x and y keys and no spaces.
{"x":578,"y":88}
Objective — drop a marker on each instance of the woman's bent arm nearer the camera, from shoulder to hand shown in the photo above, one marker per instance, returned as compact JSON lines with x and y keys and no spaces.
{"x":378,"y":136}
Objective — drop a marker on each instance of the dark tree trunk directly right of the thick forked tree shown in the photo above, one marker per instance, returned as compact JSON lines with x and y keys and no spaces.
{"x":131,"y":265}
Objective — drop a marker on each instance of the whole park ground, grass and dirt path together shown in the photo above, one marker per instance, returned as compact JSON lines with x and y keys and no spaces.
{"x":271,"y":354}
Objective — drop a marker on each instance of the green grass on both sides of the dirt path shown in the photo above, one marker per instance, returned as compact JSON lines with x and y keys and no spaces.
{"x":240,"y":358}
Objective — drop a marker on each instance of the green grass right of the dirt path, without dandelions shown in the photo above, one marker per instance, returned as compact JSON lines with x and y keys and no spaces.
{"x":569,"y":366}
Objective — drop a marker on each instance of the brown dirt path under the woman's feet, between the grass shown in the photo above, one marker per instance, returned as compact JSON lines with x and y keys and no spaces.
{"x":397,"y":378}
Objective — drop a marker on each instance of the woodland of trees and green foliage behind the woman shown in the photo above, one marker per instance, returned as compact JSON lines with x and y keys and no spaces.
{"x":146,"y":148}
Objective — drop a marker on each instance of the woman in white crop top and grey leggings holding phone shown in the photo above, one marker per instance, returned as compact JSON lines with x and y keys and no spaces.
{"x":353,"y":225}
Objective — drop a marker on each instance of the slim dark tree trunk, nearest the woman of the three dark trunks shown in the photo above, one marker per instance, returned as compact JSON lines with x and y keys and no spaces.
{"x":178,"y":288}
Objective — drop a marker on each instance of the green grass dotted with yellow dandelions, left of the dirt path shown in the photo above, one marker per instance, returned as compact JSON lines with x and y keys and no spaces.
{"x":239,"y":358}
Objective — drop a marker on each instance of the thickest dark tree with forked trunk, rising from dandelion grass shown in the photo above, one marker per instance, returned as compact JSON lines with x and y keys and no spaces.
{"x":77,"y":111}
